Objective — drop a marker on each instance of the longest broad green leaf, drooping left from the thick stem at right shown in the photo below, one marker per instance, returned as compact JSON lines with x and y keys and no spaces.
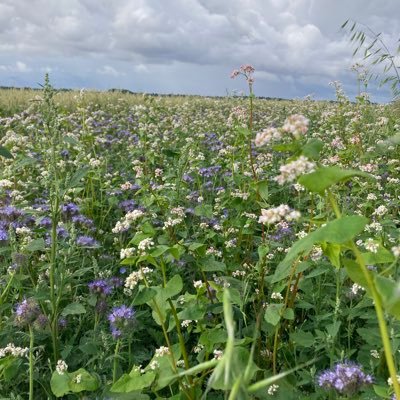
{"x":338,"y":231}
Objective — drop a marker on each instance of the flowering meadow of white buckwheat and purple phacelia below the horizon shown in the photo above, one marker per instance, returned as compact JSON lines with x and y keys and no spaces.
{"x":198,"y":248}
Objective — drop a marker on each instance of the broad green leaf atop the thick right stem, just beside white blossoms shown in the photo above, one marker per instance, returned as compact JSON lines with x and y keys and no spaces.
{"x":324,"y":177}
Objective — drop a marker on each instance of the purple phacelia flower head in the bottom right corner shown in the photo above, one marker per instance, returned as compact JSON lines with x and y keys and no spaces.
{"x":345,"y":378}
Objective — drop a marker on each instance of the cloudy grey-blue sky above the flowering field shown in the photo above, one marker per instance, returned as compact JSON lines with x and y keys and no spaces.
{"x":189,"y":46}
